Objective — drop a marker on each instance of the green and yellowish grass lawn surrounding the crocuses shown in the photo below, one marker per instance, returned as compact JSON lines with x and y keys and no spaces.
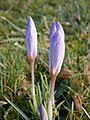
{"x":74,"y":15}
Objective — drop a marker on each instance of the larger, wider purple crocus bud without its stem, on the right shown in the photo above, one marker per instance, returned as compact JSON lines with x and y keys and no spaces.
{"x":57,"y":48}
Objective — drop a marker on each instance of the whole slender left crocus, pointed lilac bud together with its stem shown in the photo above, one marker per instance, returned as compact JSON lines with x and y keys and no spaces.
{"x":31,"y":44}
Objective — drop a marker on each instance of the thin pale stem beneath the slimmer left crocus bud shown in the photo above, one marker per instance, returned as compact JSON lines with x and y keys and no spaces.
{"x":33,"y":88}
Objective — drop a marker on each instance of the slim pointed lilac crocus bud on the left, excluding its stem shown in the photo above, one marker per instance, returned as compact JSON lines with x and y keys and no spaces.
{"x":31,"y":39}
